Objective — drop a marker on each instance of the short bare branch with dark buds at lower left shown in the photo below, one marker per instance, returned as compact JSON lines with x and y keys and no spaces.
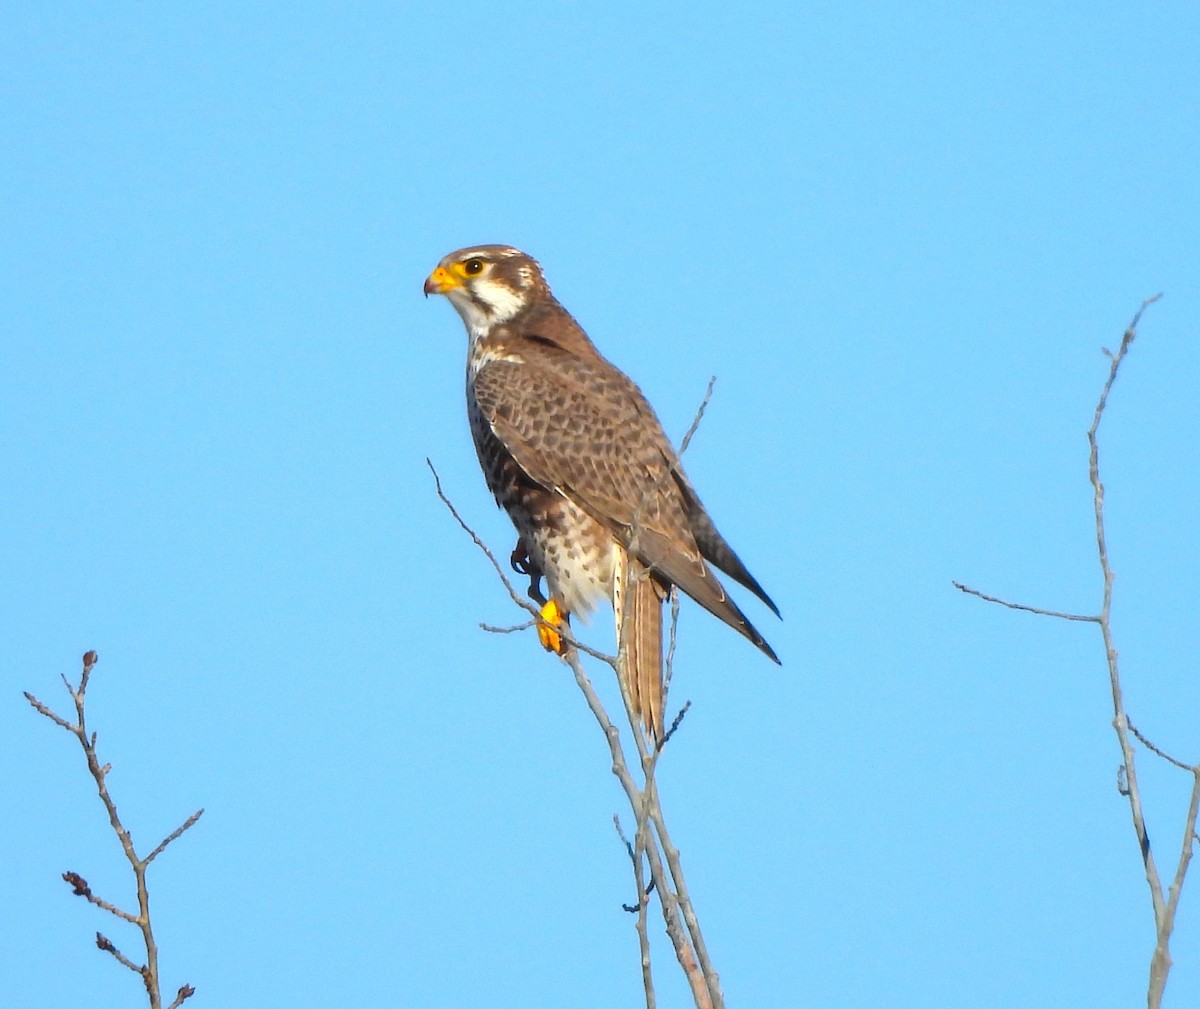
{"x":148,"y":971}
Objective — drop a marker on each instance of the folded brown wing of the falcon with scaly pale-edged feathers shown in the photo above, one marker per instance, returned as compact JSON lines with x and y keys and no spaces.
{"x":584,"y":430}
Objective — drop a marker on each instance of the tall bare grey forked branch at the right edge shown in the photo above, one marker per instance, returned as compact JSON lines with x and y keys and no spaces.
{"x":1165,"y":905}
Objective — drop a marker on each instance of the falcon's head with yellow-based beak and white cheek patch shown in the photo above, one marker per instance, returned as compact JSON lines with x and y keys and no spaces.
{"x":488,"y":285}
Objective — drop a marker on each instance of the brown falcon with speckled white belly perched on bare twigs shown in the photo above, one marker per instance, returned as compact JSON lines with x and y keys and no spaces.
{"x":575,"y":455}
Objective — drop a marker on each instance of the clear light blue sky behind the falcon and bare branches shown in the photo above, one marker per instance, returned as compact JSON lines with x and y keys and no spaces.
{"x":899,"y":239}
